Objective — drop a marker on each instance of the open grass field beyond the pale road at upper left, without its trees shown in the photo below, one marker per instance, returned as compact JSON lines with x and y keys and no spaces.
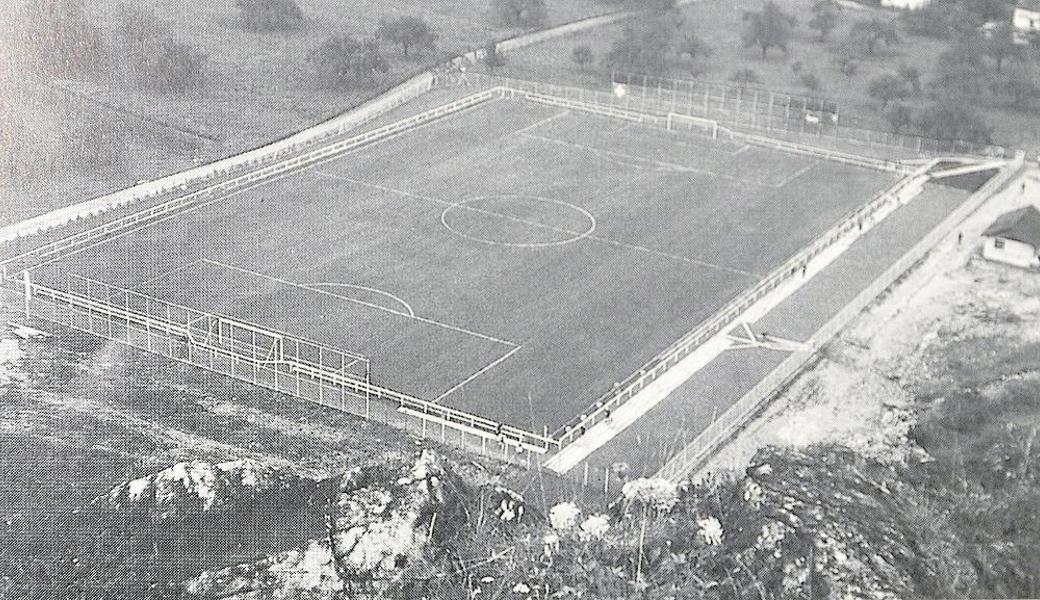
{"x":75,"y":140}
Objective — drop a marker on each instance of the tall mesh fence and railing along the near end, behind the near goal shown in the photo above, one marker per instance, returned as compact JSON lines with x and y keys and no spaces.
{"x":261,"y":356}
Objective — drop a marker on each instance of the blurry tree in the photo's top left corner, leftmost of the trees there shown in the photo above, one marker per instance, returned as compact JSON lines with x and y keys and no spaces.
{"x":62,"y":40}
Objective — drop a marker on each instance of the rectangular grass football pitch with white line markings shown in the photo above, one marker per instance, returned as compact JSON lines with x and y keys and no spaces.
{"x":512,"y":262}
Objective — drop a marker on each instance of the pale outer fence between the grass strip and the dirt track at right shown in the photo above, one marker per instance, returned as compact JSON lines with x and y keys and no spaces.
{"x":730,"y":424}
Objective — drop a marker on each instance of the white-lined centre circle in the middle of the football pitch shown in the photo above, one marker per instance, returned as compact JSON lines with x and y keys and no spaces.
{"x":518,"y":221}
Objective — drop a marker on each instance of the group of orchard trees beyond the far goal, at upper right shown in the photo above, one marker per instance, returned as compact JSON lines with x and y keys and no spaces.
{"x":983,"y":68}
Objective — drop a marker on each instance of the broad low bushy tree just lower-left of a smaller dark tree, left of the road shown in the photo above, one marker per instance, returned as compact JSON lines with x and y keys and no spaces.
{"x":344,"y":62}
